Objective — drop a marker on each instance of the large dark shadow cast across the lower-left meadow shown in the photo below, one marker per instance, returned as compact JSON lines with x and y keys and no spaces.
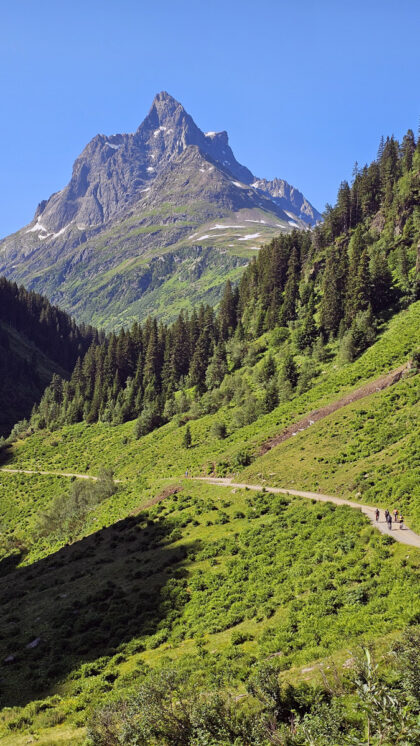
{"x":84,"y":602}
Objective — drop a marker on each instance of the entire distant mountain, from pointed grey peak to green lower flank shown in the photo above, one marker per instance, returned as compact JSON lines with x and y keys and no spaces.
{"x":136,"y":198}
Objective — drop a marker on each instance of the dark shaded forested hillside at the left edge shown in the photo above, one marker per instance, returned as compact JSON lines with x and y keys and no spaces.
{"x":37,"y":340}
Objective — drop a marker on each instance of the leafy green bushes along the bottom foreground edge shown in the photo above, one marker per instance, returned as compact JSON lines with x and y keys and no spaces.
{"x":168,"y":708}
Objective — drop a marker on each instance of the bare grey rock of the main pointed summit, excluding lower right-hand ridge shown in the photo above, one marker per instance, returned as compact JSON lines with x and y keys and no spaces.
{"x":111,"y":172}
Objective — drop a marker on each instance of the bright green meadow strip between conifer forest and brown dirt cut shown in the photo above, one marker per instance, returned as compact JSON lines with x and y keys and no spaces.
{"x":85,"y":448}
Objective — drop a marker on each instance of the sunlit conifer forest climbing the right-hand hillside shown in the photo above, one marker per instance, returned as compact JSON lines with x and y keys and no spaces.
{"x":335,"y":282}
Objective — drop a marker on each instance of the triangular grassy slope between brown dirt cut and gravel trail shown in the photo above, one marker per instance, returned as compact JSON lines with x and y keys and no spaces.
{"x":368,"y":451}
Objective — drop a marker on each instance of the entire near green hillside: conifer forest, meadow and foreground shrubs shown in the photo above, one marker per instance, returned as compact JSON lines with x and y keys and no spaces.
{"x":155,"y":610}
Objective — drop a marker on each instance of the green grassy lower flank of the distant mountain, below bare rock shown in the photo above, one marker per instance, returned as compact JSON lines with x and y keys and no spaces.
{"x":107,"y":294}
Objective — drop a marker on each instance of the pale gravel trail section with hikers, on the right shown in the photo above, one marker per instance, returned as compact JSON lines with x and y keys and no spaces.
{"x":403,"y":536}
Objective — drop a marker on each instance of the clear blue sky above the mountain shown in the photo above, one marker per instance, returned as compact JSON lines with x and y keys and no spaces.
{"x":303,"y":88}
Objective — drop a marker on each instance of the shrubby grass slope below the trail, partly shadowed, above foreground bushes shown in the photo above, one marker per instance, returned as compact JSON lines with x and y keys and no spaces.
{"x":242,"y":575}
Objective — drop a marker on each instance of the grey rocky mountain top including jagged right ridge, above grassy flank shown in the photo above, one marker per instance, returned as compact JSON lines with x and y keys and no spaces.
{"x":115,"y":172}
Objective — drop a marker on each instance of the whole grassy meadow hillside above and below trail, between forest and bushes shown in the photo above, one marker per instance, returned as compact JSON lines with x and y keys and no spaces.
{"x":111,"y":595}
